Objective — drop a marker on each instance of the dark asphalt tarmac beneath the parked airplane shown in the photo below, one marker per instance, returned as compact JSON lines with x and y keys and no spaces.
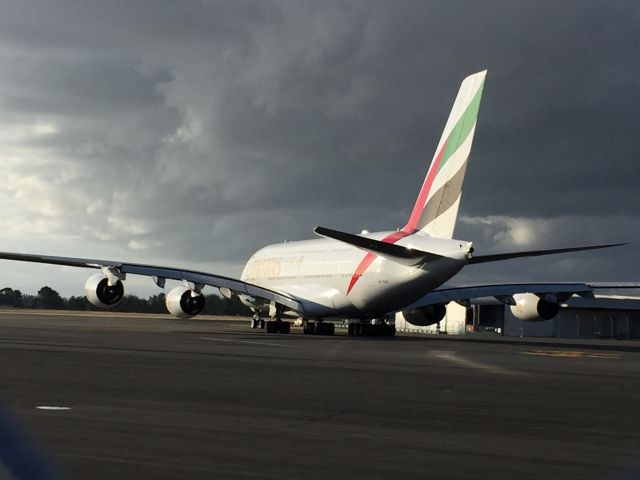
{"x":158,"y":398}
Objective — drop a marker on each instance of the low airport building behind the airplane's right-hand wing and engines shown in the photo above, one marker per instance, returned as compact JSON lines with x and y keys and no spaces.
{"x":606,"y":317}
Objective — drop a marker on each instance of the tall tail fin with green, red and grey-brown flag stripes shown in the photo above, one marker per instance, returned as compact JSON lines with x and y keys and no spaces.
{"x":437,"y":205}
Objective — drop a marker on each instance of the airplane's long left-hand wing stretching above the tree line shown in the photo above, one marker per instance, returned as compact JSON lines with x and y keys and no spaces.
{"x":158,"y":272}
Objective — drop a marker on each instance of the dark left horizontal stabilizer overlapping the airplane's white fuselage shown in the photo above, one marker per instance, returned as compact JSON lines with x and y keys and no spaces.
{"x":396,"y":253}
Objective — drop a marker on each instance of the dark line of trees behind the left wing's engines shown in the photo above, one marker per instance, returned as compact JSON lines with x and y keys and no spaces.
{"x":48,"y":298}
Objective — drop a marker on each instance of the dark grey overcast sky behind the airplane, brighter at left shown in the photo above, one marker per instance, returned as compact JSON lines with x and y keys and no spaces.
{"x":191,"y":133}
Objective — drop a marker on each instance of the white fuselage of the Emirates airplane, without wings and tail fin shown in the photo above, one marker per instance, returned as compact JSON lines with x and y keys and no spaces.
{"x":329,"y":277}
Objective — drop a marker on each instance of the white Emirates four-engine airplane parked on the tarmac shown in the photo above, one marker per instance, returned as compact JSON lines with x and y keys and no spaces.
{"x":364,"y":278}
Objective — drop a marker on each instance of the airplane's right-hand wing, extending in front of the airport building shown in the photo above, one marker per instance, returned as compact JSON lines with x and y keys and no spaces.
{"x":470,"y":293}
